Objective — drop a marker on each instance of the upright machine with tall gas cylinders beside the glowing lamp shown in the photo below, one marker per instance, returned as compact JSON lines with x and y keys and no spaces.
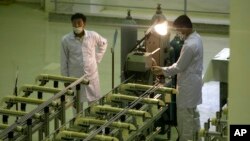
{"x":152,"y":49}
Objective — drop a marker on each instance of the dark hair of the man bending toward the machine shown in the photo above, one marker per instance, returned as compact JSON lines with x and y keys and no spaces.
{"x":183,"y":21}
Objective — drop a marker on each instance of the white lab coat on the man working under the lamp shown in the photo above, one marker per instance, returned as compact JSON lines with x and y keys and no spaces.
{"x":189,"y":72}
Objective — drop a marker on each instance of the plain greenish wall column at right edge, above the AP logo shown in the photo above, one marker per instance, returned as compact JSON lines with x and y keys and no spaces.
{"x":239,"y":67}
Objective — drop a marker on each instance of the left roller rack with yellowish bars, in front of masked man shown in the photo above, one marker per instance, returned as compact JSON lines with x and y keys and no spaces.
{"x":39,"y":104}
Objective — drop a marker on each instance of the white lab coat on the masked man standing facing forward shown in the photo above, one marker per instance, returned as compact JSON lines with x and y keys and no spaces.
{"x":80,"y":57}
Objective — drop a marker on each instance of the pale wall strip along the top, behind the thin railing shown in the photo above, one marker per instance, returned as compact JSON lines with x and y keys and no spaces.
{"x":192,"y":5}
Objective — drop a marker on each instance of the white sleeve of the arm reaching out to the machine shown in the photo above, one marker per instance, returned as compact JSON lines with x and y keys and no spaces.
{"x":182,"y":63}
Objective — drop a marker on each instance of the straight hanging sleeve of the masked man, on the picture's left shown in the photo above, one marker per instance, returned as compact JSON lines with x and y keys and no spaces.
{"x":64,"y":59}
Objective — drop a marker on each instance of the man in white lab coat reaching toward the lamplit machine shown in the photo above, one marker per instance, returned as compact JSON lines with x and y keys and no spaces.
{"x":188,"y":68}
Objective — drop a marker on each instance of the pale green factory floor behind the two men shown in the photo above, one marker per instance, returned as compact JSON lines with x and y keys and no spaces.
{"x":30,"y":45}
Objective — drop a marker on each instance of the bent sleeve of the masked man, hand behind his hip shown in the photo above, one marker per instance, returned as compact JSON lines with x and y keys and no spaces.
{"x":101,"y":47}
